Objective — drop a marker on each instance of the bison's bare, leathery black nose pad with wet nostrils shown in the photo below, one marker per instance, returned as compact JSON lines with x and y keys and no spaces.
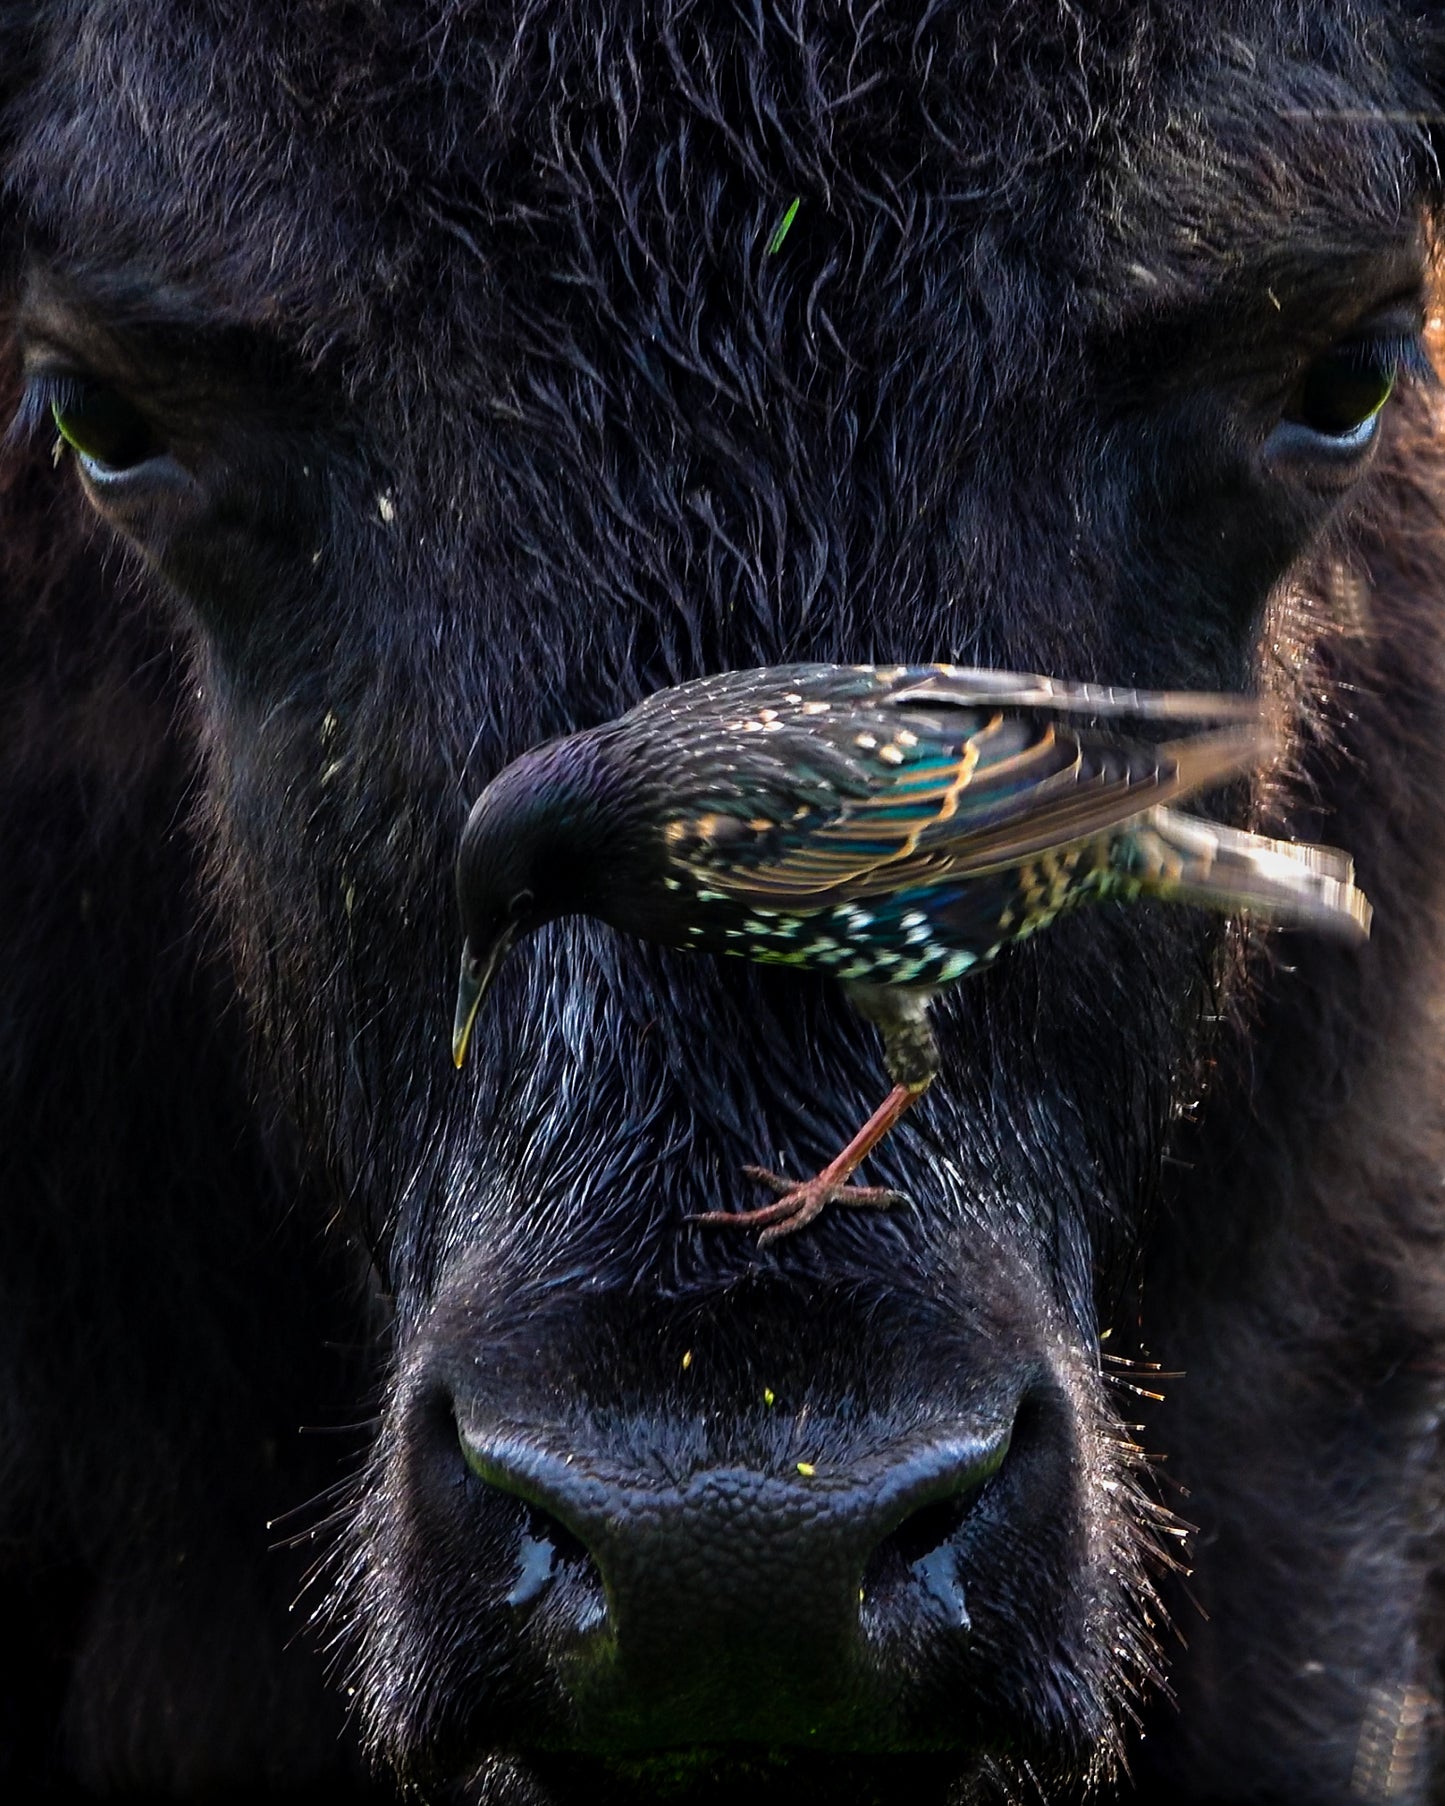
{"x":765,"y":1603}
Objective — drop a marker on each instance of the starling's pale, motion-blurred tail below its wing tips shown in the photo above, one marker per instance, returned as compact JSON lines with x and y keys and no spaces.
{"x":1188,"y":861}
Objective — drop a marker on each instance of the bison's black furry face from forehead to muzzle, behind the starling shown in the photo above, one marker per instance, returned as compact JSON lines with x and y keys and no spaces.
{"x":454,"y":389}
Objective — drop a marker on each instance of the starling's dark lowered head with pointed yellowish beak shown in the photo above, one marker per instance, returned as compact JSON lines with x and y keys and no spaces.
{"x":525,"y":859}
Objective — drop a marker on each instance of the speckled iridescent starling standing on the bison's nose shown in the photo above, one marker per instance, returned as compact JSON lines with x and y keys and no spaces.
{"x":893,"y":826}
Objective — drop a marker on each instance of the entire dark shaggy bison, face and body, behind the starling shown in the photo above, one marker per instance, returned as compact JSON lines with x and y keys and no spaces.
{"x":472,"y":405}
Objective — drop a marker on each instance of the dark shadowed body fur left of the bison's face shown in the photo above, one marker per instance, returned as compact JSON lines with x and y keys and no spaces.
{"x":172,"y":1314}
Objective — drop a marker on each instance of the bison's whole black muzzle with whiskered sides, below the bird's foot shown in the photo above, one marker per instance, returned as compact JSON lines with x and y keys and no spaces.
{"x":797,"y":1518}
